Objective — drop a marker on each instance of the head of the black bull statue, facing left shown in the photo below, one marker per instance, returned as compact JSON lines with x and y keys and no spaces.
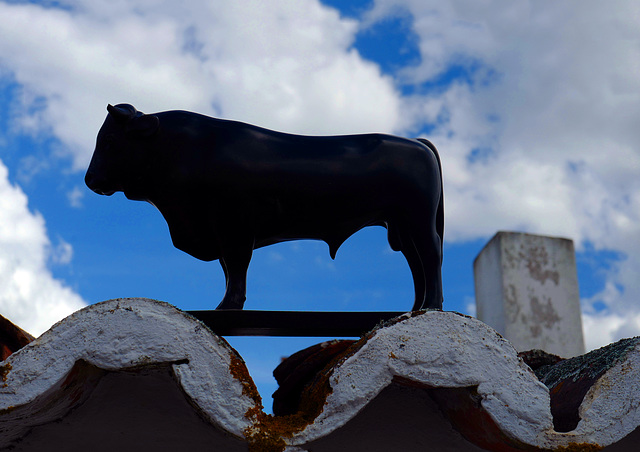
{"x":118,"y":161}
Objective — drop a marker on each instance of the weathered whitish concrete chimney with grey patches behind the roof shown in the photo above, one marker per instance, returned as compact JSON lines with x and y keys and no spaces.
{"x":527,"y":290}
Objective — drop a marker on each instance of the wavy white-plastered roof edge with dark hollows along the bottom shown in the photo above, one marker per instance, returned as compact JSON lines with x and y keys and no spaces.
{"x":454,"y":383}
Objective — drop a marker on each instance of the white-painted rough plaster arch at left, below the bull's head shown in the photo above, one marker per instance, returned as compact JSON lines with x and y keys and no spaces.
{"x":117,"y":335}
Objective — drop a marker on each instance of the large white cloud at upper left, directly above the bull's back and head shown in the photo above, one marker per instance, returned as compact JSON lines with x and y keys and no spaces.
{"x":280,"y":64}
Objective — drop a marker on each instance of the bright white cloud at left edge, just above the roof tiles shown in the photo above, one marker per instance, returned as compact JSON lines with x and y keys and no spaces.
{"x":29,"y":295}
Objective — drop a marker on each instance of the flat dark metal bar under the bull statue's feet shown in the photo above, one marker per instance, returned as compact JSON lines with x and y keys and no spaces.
{"x":234,"y":322}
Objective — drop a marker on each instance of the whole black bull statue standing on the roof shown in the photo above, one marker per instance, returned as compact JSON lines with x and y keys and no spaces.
{"x":226,"y":188}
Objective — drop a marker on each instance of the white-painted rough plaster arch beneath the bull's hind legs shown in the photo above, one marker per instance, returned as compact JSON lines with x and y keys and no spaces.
{"x":440,"y":349}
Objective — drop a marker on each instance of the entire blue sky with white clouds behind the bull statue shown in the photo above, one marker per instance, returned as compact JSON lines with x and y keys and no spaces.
{"x":535,"y":116}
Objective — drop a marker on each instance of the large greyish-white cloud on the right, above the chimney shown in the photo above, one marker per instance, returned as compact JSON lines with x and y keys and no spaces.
{"x":541,"y":132}
